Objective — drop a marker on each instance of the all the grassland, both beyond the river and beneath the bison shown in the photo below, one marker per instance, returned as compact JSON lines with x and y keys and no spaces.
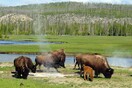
{"x":105,"y":45}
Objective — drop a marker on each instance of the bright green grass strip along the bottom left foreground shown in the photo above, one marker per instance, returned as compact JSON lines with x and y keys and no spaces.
{"x":20,"y":83}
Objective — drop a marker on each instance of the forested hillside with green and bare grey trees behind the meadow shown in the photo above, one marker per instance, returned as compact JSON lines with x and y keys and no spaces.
{"x":68,"y":18}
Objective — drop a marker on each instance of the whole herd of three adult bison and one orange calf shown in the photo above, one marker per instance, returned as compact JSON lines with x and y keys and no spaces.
{"x":90,"y":65}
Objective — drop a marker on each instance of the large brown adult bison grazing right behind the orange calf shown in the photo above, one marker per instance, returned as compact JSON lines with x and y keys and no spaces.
{"x":99,"y":64}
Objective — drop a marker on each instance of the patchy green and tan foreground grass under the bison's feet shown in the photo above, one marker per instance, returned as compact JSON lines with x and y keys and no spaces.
{"x":121,"y":78}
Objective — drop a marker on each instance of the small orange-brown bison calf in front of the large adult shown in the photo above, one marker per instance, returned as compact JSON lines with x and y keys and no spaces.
{"x":88,"y":71}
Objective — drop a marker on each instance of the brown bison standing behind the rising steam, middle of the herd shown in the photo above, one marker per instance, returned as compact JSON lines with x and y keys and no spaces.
{"x":54,"y":59}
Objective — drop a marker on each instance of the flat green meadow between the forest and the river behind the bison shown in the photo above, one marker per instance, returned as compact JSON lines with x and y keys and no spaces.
{"x":107,"y":45}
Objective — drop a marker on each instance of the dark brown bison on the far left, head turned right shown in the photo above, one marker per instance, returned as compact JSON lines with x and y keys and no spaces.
{"x":23,"y":65}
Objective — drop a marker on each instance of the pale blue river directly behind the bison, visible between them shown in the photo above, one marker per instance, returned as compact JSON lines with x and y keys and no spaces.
{"x":113,"y":61}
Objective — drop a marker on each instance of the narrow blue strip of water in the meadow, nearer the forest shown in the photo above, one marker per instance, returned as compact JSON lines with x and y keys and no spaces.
{"x":27,"y":42}
